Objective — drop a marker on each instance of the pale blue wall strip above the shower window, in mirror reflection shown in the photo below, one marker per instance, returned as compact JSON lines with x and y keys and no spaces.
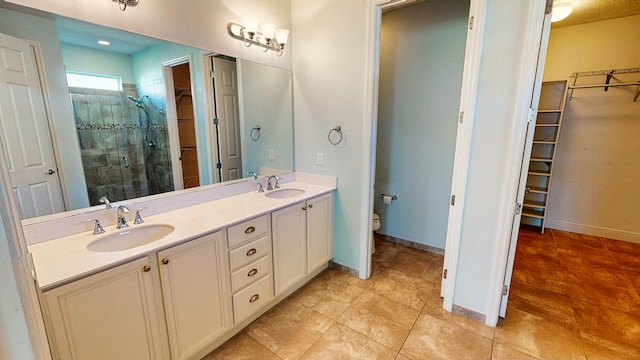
{"x":94,"y":61}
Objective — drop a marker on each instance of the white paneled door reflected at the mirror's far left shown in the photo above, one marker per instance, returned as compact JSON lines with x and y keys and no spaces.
{"x":25,"y":132}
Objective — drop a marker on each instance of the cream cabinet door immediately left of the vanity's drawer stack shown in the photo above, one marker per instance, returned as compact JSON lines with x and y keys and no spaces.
{"x":194,"y":293}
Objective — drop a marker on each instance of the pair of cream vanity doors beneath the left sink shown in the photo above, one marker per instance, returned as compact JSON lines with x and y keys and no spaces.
{"x":118,"y":313}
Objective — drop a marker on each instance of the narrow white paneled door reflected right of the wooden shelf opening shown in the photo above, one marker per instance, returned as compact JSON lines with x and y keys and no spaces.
{"x":226,"y":97}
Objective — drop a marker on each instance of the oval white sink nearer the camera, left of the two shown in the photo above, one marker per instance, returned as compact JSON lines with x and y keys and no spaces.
{"x":131,"y":237}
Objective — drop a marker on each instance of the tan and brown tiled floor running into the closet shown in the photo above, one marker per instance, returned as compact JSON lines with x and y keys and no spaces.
{"x":572,"y":297}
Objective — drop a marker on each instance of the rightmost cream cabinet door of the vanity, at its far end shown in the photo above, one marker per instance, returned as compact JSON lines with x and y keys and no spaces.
{"x":319,"y":231}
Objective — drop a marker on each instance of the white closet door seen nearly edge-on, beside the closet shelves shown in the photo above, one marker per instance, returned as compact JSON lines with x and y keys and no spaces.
{"x":542,"y":54}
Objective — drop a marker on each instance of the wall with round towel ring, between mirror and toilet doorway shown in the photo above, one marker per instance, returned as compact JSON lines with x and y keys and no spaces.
{"x":330,"y":88}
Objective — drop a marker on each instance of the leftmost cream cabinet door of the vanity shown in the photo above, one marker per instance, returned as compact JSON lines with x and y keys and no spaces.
{"x":110,"y":315}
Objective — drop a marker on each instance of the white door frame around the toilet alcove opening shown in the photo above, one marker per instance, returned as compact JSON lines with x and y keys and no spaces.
{"x":470,"y":78}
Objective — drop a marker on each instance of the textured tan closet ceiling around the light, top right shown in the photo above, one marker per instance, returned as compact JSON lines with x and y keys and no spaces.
{"x":586,"y":11}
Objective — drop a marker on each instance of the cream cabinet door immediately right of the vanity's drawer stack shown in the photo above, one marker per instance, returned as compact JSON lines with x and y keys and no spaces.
{"x":289,"y":246}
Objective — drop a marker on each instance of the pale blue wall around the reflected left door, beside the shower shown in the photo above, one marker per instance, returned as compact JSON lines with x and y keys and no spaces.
{"x":64,"y":132}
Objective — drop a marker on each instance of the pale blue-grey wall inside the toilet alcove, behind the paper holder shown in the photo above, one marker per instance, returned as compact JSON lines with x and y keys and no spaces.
{"x":421,"y":63}
